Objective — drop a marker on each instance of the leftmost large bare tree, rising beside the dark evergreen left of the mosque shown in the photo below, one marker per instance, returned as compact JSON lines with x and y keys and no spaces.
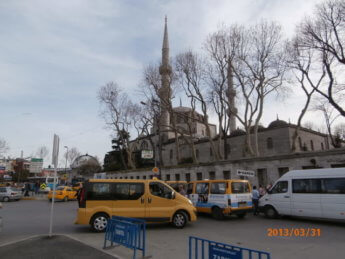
{"x":118,"y":114}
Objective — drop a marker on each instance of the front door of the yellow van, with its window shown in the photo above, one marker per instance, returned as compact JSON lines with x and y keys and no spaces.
{"x":160,"y":202}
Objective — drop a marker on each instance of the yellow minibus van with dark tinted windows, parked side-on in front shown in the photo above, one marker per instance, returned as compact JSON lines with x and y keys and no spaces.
{"x":152,"y":200}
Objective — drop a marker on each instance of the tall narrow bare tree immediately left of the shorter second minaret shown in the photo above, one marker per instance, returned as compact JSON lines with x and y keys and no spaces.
{"x":221,"y":46}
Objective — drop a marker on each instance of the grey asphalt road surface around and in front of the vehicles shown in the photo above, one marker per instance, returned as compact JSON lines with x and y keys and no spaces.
{"x":26,"y":218}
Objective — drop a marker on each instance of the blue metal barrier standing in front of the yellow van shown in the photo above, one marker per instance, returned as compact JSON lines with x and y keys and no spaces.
{"x":128,"y":232}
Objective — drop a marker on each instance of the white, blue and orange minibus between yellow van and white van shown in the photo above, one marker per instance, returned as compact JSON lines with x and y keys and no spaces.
{"x":221,"y":197}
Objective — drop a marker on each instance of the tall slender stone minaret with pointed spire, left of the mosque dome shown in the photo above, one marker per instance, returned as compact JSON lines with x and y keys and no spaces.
{"x":165,"y":91}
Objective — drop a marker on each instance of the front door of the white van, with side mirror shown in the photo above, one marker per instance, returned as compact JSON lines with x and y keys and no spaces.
{"x":280,"y":197}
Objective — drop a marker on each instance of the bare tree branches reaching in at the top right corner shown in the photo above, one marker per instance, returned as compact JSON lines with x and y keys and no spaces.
{"x":324,"y":33}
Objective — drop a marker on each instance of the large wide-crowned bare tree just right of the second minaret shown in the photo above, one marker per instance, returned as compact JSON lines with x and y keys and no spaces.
{"x":259,"y":68}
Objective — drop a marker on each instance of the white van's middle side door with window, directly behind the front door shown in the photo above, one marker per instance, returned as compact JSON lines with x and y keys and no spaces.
{"x":306,"y":197}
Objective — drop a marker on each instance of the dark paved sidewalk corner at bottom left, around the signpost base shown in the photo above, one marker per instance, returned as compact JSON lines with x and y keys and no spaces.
{"x":57,"y":246}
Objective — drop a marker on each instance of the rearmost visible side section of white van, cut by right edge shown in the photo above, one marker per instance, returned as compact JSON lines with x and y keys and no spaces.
{"x":333,"y":198}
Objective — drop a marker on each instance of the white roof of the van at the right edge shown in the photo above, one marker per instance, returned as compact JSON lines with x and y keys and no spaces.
{"x":318,"y":173}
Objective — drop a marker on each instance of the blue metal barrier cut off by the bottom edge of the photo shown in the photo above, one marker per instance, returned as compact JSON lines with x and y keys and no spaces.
{"x":207,"y":249}
